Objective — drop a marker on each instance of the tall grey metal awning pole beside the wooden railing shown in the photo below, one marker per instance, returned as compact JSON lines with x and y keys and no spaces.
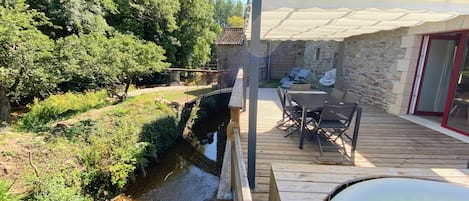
{"x":253,"y":90}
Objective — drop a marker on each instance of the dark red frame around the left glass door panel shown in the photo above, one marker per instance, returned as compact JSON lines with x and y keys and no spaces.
{"x":431,"y":37}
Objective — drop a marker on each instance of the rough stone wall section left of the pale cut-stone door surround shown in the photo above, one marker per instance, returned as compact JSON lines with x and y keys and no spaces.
{"x":370,"y":66}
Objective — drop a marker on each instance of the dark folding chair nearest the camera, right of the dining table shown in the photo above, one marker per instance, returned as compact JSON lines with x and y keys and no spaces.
{"x":332,"y":123}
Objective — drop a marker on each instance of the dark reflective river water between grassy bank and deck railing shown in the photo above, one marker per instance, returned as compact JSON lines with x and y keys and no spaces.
{"x":189,"y":170}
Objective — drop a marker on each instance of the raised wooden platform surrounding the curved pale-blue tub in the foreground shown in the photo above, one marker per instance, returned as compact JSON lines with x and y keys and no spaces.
{"x":317,"y":182}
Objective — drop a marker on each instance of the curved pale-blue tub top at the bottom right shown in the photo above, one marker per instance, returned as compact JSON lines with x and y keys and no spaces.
{"x":403,"y":189}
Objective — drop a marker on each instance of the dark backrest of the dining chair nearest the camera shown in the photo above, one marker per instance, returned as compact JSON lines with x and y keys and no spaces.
{"x":342,"y":112}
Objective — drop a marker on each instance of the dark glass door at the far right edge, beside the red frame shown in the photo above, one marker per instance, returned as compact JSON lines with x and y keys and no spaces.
{"x":457,"y":117}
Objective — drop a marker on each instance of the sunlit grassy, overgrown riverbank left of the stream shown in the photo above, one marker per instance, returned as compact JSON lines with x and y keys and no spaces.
{"x":94,"y":157}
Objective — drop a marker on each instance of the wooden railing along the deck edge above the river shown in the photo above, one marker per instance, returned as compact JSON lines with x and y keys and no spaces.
{"x":233,"y":180}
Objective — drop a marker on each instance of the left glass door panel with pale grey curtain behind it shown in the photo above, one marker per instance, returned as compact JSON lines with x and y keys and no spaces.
{"x":436,"y":75}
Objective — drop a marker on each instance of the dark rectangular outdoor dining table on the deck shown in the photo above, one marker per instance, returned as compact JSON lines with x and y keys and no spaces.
{"x":308,"y":101}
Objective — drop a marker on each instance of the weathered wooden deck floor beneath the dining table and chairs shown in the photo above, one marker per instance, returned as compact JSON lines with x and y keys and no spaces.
{"x":384,"y":141}
